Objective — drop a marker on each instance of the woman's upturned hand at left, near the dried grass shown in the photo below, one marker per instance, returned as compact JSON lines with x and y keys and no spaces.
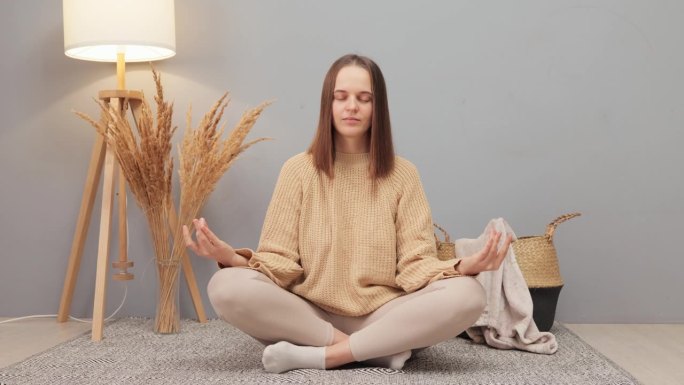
{"x":208,"y":245}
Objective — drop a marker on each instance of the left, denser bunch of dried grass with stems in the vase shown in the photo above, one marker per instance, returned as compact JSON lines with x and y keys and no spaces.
{"x":145,"y":158}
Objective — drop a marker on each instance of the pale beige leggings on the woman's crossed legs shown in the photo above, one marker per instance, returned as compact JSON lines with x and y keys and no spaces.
{"x":250,"y":301}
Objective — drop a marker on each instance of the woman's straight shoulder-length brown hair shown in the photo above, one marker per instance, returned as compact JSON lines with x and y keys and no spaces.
{"x":381,"y":149}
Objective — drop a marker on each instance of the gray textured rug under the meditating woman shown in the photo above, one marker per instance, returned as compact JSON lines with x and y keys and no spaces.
{"x":216,"y":353}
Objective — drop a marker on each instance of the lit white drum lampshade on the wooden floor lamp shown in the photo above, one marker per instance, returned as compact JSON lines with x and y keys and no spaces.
{"x":96,"y":30}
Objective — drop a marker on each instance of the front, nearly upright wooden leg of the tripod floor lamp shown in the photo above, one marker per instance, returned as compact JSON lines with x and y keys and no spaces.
{"x":103,"y":248}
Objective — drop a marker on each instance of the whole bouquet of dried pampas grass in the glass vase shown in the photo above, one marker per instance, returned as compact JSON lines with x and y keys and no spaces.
{"x":145,"y":159}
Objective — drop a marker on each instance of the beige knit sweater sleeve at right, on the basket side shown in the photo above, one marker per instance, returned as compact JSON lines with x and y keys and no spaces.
{"x":417,"y":262}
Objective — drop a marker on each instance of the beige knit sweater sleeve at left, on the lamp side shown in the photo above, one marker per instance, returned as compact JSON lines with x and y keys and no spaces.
{"x":278,"y":253}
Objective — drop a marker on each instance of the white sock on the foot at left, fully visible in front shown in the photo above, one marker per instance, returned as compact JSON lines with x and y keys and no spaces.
{"x":284,"y":356}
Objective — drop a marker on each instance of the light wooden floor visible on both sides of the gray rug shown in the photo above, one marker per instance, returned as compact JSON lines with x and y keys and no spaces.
{"x":654,"y":354}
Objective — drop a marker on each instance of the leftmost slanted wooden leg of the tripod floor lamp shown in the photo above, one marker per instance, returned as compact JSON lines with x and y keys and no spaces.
{"x":81,"y":232}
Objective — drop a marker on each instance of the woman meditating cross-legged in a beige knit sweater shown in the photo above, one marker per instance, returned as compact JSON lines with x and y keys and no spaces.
{"x":346,"y":269}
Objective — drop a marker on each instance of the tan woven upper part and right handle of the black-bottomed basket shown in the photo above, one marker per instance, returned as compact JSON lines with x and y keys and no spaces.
{"x":537,"y":257}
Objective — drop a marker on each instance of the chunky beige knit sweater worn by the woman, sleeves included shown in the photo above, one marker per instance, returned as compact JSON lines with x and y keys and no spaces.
{"x":346,"y":250}
